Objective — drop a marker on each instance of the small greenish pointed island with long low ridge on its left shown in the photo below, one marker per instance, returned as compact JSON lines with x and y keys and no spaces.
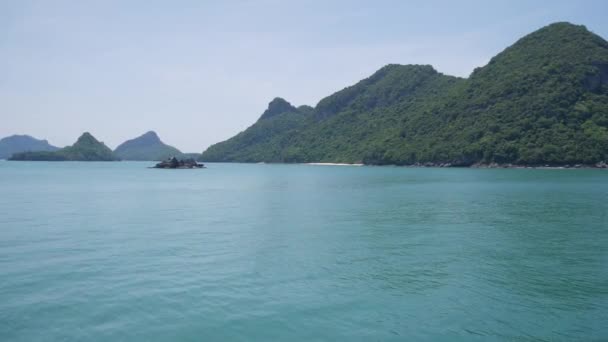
{"x":86,"y":148}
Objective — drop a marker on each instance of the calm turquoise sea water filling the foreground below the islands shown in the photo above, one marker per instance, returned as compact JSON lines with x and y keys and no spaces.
{"x":119,"y":252}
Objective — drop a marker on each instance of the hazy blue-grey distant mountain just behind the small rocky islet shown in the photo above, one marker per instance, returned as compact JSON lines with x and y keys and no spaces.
{"x":146,"y":147}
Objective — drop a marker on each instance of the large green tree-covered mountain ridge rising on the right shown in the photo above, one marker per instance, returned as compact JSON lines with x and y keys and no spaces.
{"x":543,"y":100}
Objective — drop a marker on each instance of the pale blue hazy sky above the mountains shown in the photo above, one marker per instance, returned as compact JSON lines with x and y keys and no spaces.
{"x":198,"y":72}
